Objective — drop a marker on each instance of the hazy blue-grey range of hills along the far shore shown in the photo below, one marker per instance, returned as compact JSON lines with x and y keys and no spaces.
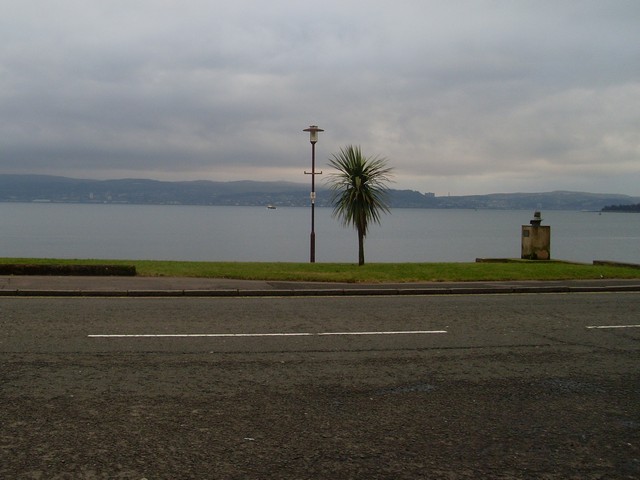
{"x":45,"y":188}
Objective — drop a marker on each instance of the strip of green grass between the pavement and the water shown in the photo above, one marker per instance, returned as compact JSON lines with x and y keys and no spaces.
{"x":369,"y":273}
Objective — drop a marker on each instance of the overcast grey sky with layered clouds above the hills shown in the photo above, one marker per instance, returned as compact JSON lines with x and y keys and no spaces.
{"x":462,"y":96}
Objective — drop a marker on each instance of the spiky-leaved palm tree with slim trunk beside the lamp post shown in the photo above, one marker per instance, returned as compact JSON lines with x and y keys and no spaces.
{"x":359,"y":190}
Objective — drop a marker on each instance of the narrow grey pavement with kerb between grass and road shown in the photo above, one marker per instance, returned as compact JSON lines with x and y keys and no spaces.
{"x":180,"y":286}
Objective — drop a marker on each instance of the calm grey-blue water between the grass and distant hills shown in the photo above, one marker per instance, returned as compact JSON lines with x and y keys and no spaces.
{"x":258,"y":234}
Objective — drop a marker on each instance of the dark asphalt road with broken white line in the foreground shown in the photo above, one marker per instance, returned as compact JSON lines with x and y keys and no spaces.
{"x":451,"y":387}
